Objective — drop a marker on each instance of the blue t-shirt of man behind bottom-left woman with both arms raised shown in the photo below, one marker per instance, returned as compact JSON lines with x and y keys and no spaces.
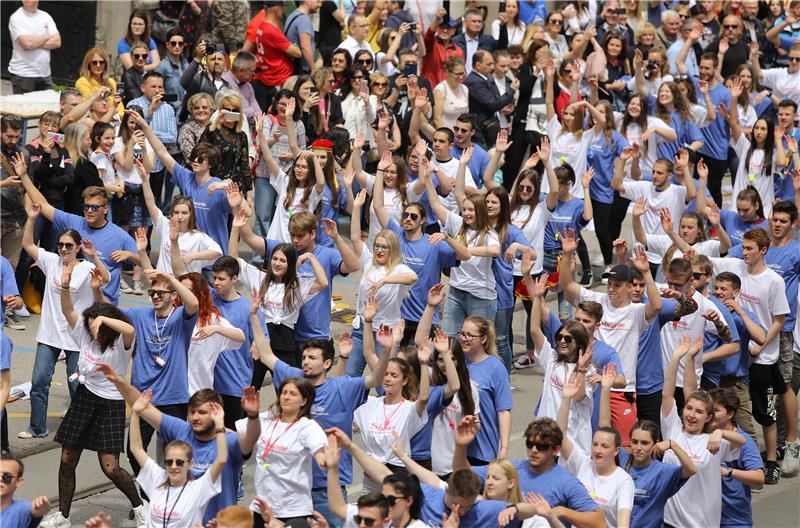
{"x":203,"y":456}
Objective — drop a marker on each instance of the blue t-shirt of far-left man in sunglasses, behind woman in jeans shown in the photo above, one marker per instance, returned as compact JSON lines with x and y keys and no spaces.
{"x":107,"y":239}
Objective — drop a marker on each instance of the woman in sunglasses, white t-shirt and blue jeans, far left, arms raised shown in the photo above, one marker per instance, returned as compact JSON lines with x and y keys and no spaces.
{"x":53,"y":337}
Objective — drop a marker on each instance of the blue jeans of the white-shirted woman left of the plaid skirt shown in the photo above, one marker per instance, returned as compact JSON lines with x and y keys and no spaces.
{"x":44,"y":366}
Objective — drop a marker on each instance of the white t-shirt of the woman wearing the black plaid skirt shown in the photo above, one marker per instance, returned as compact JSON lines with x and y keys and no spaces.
{"x":117,"y":356}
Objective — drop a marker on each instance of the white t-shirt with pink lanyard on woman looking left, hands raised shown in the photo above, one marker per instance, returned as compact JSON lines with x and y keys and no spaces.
{"x":378,"y":422}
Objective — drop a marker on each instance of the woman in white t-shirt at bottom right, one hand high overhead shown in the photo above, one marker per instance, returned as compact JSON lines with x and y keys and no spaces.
{"x":692,"y":432}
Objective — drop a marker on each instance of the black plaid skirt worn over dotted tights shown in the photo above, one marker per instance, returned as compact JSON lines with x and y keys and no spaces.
{"x":93,"y":423}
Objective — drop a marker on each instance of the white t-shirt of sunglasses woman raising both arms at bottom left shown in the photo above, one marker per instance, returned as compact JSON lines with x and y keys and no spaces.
{"x":181,"y":507}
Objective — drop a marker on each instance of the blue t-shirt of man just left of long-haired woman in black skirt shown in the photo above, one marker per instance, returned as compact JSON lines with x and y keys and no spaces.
{"x":234,"y":369}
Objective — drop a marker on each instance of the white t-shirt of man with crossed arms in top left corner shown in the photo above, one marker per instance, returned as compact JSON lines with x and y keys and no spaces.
{"x":35,"y":62}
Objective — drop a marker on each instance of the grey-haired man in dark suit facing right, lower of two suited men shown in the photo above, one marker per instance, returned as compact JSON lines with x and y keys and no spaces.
{"x":484,"y":97}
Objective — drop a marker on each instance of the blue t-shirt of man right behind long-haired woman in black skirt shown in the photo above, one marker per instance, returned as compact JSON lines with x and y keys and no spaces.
{"x":314,"y":320}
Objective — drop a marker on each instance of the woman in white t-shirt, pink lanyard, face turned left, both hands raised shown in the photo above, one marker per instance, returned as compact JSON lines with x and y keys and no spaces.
{"x":402,"y":409}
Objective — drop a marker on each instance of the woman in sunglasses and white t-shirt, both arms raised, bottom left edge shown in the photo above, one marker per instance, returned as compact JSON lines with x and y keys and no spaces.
{"x":189,"y":496}
